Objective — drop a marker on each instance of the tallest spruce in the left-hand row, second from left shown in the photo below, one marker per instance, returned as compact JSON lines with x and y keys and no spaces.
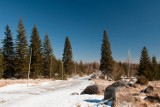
{"x":21,"y":52}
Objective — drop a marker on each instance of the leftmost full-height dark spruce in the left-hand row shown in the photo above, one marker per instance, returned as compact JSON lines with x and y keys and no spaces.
{"x":8,"y":54}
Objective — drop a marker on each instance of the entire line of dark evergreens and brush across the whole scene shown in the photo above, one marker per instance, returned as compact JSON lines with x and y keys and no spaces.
{"x":36,"y":59}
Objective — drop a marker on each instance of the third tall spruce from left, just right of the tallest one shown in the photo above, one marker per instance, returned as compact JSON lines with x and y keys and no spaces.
{"x":36,"y":57}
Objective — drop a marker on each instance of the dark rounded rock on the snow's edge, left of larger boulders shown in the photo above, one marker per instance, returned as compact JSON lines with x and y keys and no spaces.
{"x":92,"y":89}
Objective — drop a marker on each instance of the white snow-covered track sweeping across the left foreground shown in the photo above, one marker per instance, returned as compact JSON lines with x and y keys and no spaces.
{"x":49,"y":94}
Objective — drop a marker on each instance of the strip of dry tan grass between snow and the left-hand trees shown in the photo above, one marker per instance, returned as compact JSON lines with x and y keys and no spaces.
{"x":4,"y":82}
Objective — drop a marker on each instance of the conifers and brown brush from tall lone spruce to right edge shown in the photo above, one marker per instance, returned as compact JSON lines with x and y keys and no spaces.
{"x":148,"y":68}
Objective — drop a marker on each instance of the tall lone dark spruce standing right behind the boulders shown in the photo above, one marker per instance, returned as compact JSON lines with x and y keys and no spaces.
{"x":106,"y":61}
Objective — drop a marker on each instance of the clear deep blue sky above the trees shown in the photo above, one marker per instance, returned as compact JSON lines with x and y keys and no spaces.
{"x":131,"y":24}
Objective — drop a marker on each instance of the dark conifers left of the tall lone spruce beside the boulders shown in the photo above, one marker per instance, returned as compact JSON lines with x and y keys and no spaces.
{"x":36,"y":59}
